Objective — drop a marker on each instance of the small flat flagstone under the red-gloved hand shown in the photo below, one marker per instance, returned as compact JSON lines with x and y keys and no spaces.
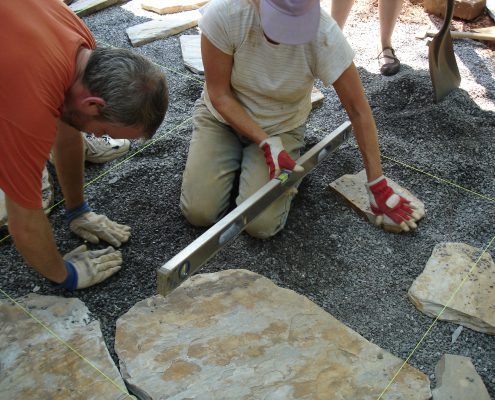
{"x":353,"y":189}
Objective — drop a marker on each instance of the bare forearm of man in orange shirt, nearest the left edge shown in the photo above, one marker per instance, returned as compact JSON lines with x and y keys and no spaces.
{"x":33,"y":238}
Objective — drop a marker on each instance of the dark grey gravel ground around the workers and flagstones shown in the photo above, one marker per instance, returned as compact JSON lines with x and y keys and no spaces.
{"x":443,"y":153}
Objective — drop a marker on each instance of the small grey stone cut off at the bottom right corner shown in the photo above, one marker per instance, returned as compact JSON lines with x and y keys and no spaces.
{"x":457,"y":379}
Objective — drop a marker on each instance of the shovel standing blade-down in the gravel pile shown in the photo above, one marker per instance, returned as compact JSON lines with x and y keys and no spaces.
{"x":444,"y":73}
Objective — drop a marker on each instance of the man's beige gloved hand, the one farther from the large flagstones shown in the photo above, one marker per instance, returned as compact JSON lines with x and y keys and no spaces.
{"x":93,"y":227}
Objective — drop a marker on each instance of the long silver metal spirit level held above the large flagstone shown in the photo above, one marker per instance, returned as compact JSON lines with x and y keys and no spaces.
{"x":190,"y":260}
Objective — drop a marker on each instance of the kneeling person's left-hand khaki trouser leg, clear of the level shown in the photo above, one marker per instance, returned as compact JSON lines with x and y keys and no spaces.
{"x":214,"y":158}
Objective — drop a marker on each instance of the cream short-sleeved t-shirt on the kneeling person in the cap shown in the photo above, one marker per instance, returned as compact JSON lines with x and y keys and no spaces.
{"x":273,"y":81}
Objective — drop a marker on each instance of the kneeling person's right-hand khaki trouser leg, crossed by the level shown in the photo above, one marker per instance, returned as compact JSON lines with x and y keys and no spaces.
{"x":254,"y":175}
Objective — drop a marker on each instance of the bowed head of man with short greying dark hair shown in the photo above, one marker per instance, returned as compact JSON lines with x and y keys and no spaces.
{"x":118,"y":88}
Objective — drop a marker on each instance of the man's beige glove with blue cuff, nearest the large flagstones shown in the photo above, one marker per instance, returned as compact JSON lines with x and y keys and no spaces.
{"x":88,"y":267}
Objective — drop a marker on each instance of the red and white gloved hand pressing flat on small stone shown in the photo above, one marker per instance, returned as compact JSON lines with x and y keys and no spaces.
{"x":390,"y":207}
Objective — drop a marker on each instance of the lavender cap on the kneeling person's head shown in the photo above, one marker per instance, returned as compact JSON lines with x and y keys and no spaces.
{"x":290,"y":21}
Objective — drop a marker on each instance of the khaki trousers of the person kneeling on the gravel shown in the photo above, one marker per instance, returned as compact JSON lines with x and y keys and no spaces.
{"x":216,"y":154}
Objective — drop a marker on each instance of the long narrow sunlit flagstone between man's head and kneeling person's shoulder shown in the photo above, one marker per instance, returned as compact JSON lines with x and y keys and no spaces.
{"x":159,"y":29}
